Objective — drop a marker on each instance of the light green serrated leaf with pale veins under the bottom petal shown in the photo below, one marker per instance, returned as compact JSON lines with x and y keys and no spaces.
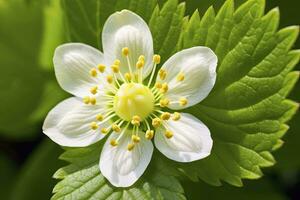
{"x":82,"y":179}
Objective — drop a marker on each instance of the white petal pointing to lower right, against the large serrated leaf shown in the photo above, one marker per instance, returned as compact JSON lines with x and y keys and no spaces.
{"x":191,"y":140}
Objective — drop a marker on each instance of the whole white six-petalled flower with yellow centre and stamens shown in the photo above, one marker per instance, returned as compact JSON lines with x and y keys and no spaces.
{"x":114,"y":98}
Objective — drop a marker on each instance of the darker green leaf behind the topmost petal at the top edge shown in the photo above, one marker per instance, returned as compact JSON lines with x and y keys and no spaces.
{"x":85,"y":19}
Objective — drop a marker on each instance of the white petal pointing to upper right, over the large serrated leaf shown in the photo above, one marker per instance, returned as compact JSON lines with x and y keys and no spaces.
{"x":198,"y":65}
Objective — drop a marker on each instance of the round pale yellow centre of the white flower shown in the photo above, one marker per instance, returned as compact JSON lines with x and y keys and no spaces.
{"x":133,"y":99}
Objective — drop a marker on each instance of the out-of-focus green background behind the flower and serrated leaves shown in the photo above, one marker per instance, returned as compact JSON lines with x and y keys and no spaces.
{"x":29,"y":32}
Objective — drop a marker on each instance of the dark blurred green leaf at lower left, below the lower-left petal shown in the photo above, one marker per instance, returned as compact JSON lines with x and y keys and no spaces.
{"x":35,"y":178}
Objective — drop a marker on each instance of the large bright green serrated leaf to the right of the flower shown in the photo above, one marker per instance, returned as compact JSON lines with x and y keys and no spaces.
{"x":247,"y":110}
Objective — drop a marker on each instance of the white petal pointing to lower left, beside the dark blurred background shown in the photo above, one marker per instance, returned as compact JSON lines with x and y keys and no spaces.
{"x":68,"y":124}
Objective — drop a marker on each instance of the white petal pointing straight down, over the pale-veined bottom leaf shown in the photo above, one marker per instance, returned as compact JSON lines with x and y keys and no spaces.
{"x":122,"y":167}
